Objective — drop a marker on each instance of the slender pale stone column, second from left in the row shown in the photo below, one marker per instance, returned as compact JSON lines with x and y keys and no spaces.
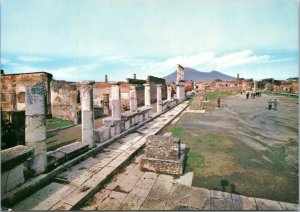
{"x":87,"y":113}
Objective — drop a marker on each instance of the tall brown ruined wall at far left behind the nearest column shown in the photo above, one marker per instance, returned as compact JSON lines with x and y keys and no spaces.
{"x":13,"y":88}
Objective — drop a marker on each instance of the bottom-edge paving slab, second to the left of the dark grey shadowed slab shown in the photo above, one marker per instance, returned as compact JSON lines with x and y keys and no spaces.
{"x":179,"y":197}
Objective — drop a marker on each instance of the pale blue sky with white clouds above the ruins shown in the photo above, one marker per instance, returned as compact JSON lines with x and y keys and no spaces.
{"x":85,"y":39}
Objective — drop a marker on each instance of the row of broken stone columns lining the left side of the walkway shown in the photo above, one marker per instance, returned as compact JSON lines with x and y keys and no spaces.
{"x":35,"y":116}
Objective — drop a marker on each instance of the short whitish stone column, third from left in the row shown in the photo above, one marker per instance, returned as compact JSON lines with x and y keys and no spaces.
{"x":116,"y":101}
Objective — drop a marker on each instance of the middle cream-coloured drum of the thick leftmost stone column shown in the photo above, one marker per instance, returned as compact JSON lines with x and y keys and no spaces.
{"x":35,"y":128}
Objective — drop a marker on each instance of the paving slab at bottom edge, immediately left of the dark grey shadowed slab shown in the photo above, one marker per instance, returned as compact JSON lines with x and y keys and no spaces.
{"x":200,"y":198}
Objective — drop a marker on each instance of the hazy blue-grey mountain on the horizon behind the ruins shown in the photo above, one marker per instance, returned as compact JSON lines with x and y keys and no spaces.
{"x":192,"y":74}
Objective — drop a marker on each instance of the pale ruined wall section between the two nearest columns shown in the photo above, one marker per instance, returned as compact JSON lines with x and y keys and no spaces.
{"x":64,"y":100}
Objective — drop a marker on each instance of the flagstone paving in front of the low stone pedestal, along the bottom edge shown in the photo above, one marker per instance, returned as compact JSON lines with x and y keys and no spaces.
{"x":133,"y":189}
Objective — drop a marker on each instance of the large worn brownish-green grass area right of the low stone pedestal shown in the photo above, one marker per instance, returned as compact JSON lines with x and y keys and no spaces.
{"x":216,"y":158}
